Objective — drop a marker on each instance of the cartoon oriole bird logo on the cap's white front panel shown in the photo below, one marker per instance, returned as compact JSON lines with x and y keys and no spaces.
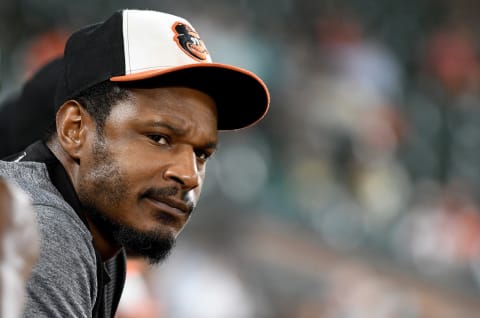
{"x":189,"y":41}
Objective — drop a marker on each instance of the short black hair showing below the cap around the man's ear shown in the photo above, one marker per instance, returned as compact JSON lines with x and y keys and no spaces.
{"x":98,"y":101}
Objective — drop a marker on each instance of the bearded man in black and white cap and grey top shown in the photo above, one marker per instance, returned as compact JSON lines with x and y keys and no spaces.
{"x":139,"y":106}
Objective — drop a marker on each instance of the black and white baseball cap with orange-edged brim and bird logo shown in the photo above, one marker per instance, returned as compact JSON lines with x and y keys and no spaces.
{"x":138,"y":45}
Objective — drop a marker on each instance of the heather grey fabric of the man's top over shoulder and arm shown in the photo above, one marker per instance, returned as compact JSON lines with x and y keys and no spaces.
{"x":63,"y":283}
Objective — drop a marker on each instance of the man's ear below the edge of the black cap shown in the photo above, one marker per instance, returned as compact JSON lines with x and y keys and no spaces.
{"x":74,"y":125}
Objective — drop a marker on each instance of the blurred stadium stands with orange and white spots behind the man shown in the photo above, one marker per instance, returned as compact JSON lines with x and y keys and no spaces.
{"x":358,"y":195}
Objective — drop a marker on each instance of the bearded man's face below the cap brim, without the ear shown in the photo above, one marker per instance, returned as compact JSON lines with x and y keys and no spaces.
{"x":144,"y":173}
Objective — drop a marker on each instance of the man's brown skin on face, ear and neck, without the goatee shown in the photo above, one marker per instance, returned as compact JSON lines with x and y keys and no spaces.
{"x":145,"y":168}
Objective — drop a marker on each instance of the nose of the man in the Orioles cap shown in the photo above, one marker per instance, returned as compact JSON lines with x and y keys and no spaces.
{"x":184,"y":169}
